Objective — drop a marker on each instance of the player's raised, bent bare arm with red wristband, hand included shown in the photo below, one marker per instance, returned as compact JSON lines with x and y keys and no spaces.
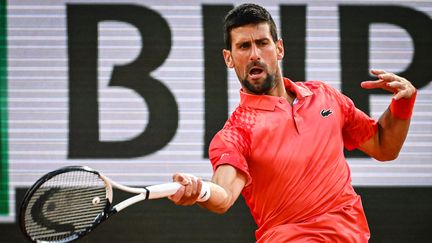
{"x":394,"y":123}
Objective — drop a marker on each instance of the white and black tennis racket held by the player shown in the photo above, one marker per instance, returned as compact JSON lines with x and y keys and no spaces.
{"x":67,"y":203}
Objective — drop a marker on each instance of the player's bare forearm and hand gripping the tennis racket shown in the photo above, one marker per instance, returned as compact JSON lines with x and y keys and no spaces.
{"x":225,"y":187}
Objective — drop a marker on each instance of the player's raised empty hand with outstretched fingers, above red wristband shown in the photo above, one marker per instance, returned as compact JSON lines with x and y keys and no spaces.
{"x":399,"y":86}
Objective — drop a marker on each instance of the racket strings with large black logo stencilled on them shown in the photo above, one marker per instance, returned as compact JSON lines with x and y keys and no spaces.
{"x":65,"y":206}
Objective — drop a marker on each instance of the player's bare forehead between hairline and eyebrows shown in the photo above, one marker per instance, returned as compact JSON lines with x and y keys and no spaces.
{"x":251,"y":31}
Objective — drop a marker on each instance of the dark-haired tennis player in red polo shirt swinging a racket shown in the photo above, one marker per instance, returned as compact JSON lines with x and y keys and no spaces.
{"x":282,"y":148}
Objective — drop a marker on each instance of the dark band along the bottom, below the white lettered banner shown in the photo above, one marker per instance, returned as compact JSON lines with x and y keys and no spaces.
{"x":395,"y":214}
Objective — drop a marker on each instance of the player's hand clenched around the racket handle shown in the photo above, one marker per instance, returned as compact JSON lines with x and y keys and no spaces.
{"x":189,"y":192}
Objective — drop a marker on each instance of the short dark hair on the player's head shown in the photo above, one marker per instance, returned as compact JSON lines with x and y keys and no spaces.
{"x":245,"y":14}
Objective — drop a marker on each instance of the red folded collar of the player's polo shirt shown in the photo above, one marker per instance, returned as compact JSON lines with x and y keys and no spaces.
{"x":269,"y":102}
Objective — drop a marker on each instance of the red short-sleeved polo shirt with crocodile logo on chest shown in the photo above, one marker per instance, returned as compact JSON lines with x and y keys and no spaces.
{"x":298,"y":181}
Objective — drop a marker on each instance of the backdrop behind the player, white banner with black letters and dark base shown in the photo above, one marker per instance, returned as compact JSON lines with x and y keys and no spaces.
{"x":137,"y":89}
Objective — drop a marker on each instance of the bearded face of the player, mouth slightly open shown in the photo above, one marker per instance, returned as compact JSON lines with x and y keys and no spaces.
{"x":254,"y":56}
